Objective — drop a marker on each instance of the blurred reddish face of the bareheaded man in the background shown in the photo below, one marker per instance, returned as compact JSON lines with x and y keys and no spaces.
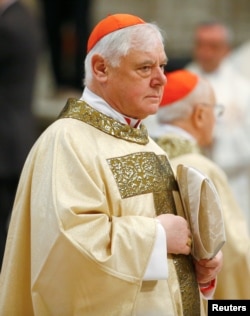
{"x":210,"y":47}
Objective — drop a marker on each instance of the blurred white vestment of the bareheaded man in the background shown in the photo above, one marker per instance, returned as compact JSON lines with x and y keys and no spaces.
{"x":231,"y":149}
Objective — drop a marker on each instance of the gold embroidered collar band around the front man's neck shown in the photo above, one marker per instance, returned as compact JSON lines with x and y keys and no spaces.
{"x":80,"y":110}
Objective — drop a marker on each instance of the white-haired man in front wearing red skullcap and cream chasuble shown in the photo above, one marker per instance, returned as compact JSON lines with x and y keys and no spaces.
{"x":94,"y":229}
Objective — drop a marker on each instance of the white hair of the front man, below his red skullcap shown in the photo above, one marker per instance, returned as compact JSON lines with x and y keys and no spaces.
{"x":118,"y":43}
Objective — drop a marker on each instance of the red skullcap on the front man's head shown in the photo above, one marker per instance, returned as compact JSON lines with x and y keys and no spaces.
{"x":110,"y":24}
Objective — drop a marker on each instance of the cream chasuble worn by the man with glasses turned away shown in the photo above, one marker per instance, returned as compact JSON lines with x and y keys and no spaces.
{"x":232,"y":280}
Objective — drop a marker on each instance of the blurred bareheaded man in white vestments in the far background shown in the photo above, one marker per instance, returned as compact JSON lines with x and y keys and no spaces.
{"x":231,"y":146}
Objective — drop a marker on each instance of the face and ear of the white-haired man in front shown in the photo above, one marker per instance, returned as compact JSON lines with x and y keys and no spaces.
{"x":135,"y":88}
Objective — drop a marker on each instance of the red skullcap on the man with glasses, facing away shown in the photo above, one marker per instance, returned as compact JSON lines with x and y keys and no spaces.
{"x":179,"y":84}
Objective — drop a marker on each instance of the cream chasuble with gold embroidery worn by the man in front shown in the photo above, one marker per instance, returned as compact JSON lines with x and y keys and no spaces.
{"x":83,"y":227}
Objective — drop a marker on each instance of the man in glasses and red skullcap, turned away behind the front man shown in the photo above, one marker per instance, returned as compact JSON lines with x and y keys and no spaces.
{"x":187,"y":117}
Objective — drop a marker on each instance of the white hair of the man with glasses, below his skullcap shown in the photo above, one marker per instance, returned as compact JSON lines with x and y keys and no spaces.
{"x":183,"y":108}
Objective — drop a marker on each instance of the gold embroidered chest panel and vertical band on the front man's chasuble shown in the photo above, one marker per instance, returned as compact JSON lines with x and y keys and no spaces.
{"x":145,"y":172}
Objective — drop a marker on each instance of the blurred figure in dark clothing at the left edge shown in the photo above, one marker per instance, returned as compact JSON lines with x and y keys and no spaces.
{"x":19,"y":49}
